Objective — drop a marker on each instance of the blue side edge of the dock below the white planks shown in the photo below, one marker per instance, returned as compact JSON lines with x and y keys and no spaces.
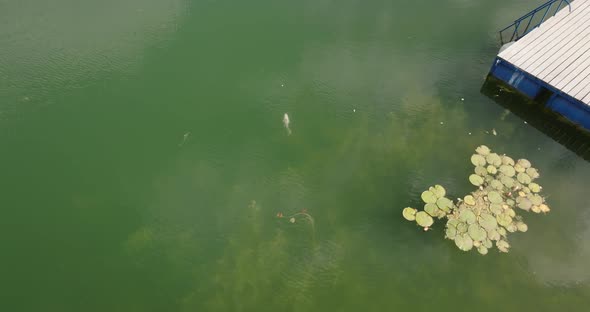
{"x":561,"y":103}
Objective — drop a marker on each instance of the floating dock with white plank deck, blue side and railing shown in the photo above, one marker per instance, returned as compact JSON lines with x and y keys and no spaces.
{"x":546,"y":57}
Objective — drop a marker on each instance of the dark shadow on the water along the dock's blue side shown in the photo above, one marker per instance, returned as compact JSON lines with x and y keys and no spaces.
{"x":572,"y":136}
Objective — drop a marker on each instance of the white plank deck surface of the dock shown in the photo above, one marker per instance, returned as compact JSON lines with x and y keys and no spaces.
{"x":558,"y":51}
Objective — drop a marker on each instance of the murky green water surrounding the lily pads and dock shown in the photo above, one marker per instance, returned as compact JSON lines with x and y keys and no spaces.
{"x":106,"y":207}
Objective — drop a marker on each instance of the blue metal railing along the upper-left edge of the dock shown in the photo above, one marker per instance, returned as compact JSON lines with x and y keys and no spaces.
{"x":528,"y":22}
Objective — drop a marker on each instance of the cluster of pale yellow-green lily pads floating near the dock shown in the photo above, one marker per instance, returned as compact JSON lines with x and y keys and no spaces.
{"x":486,"y":216}
